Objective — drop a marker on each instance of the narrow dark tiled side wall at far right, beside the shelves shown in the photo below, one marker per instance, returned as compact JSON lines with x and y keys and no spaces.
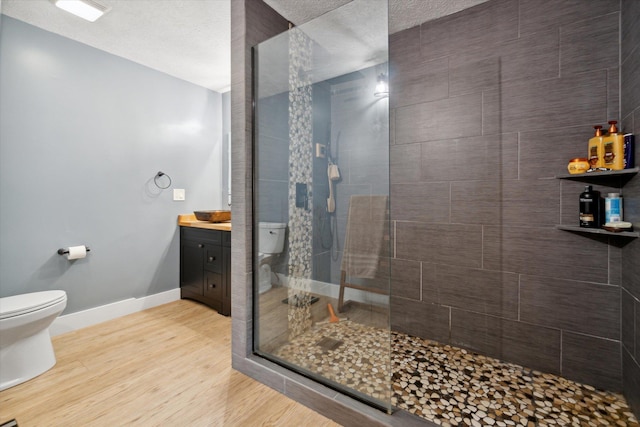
{"x":630,"y":293}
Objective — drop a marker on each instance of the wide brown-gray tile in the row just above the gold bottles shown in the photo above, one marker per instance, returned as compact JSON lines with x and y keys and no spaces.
{"x":576,"y":100}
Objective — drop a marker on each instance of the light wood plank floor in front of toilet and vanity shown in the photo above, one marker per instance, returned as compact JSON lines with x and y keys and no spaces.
{"x":166,"y":366}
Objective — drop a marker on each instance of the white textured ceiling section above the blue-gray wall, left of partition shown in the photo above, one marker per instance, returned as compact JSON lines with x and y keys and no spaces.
{"x":188,"y":39}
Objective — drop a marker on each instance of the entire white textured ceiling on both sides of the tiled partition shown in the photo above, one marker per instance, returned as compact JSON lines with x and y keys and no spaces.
{"x":190,"y":39}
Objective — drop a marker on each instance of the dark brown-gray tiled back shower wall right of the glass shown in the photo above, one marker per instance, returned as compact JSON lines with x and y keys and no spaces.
{"x":483,"y":122}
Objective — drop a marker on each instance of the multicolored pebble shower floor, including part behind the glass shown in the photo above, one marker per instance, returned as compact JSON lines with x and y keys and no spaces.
{"x":448,"y":385}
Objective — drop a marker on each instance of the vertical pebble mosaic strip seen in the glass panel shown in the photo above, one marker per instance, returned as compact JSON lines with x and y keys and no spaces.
{"x":300,"y":171}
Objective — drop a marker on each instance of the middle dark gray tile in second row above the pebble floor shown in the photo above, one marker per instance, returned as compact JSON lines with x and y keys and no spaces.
{"x":482,"y":291}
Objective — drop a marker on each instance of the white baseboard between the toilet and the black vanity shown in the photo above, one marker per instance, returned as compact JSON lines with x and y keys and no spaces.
{"x":92,"y":316}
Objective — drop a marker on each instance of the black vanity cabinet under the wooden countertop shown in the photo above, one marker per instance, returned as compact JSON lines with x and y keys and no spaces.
{"x":205,"y":267}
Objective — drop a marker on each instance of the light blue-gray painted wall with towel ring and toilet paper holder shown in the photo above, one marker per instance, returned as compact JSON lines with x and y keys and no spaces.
{"x":82,"y":134}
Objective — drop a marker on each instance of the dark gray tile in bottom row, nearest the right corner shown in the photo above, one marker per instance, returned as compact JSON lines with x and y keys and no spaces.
{"x":592,"y":360}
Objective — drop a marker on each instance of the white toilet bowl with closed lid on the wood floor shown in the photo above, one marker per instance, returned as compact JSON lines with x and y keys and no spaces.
{"x":25,"y":344}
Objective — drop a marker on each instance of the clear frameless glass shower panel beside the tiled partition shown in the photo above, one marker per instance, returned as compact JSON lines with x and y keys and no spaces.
{"x":321,"y":201}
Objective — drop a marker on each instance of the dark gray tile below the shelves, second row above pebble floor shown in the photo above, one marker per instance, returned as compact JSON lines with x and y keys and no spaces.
{"x":583,"y":307}
